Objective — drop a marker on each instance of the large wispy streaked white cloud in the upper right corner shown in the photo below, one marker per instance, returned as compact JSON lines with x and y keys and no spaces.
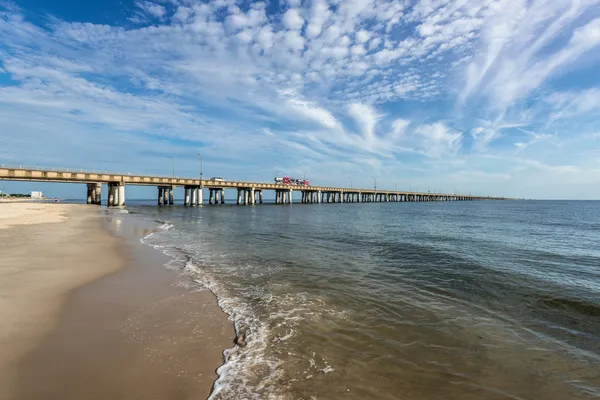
{"x":515,"y":59}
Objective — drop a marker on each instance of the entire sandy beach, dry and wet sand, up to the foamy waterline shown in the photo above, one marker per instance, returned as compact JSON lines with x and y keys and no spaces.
{"x":89,"y":312}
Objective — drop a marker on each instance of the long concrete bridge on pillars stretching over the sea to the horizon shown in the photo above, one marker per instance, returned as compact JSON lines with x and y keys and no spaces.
{"x":248,"y":193}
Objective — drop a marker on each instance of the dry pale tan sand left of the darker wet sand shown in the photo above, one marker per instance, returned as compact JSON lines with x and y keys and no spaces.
{"x":43,"y":256}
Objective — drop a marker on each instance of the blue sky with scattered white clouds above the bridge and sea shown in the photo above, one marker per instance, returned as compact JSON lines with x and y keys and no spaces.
{"x":498,"y":97}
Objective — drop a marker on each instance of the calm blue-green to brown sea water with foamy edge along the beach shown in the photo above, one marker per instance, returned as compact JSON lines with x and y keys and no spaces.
{"x":456,"y":300}
